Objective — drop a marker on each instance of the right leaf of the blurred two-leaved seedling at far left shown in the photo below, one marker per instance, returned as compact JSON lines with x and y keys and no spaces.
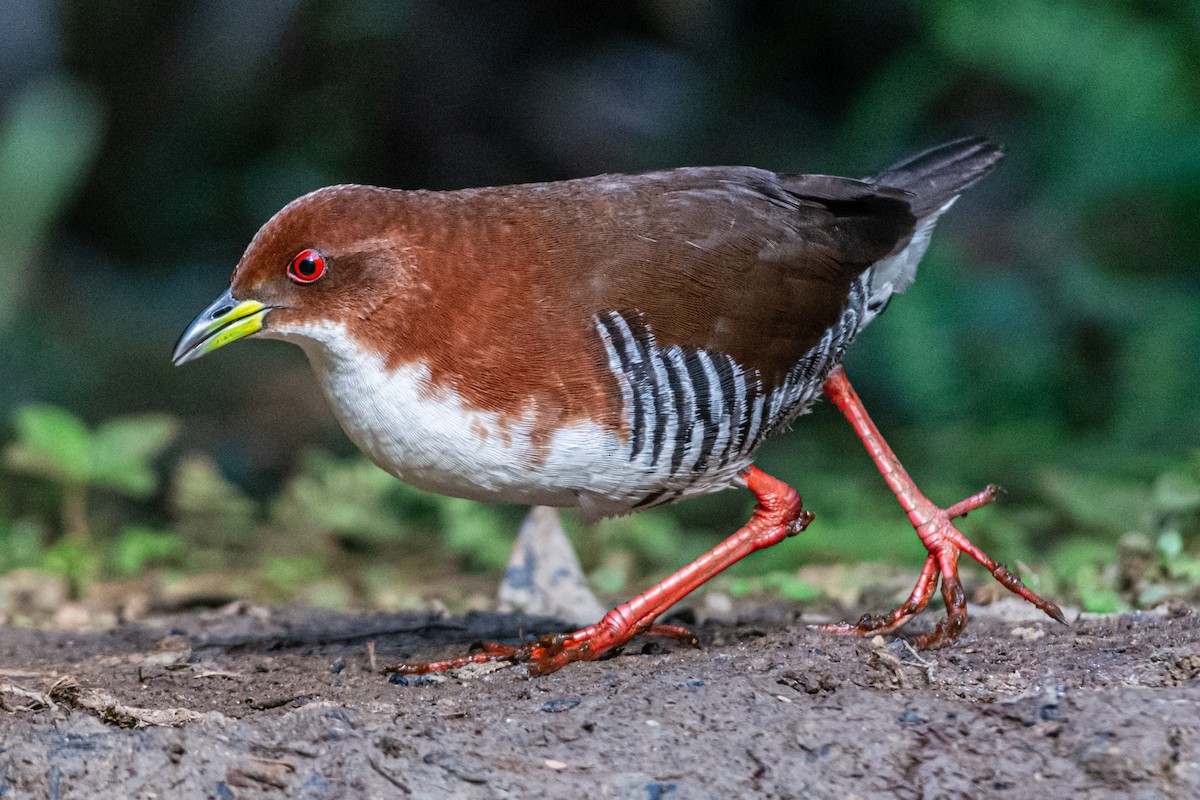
{"x":123,"y":452}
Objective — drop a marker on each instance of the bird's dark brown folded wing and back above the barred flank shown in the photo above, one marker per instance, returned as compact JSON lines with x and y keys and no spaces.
{"x":737,"y":261}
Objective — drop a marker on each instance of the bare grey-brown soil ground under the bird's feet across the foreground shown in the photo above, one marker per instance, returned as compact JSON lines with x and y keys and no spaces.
{"x":254,"y":702}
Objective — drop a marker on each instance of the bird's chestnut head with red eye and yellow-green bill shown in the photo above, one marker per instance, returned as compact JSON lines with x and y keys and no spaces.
{"x":326,"y":258}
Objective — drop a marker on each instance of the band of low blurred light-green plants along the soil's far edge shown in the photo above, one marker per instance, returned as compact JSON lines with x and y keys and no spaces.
{"x":1125,"y":544}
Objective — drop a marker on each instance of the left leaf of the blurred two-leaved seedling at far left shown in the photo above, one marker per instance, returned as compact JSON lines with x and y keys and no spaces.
{"x":51,"y":443}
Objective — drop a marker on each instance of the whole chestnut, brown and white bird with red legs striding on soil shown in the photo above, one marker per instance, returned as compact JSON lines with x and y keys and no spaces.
{"x":610,"y":345}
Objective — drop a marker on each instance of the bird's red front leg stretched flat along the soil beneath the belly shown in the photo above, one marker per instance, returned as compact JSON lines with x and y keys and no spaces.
{"x":776,"y":518}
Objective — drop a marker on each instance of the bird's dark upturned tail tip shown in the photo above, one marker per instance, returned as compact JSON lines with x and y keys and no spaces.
{"x":937,"y":177}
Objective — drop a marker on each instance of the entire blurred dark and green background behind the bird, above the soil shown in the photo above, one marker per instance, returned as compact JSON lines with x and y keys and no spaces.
{"x":1051,"y":344}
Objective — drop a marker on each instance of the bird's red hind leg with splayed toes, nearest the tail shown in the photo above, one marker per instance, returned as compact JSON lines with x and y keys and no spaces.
{"x":937,"y":532}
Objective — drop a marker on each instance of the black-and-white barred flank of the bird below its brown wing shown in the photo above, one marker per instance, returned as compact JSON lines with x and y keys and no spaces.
{"x":697,"y":417}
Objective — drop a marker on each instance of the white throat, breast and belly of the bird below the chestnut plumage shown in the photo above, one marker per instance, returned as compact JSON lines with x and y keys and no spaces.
{"x":428,"y":437}
